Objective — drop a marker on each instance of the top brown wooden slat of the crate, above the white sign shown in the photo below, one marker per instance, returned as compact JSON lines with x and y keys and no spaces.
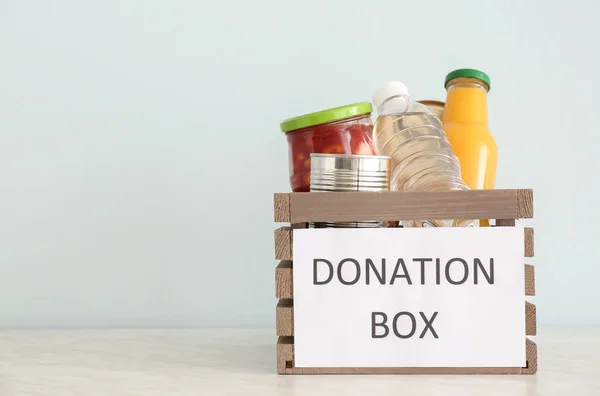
{"x":394,"y":205}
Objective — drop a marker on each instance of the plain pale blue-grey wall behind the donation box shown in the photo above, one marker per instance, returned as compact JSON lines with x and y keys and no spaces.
{"x":139,"y":142}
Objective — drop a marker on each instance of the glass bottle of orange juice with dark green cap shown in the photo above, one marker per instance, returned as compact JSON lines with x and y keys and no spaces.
{"x":466,"y":126}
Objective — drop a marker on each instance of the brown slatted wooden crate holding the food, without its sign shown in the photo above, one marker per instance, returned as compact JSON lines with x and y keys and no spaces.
{"x":298,"y":209}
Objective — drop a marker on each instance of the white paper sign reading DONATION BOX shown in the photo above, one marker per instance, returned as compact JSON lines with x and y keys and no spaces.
{"x":409,"y":297}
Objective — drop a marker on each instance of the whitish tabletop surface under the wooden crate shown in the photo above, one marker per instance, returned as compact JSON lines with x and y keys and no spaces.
{"x":242,"y":362}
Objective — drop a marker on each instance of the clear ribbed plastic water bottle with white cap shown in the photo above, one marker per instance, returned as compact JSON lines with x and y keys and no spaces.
{"x":421,"y":156}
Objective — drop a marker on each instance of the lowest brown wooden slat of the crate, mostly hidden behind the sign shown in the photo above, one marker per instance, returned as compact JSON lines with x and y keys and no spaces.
{"x":285,"y":365}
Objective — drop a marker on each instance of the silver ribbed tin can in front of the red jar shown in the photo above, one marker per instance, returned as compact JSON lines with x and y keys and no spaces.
{"x":346,"y":173}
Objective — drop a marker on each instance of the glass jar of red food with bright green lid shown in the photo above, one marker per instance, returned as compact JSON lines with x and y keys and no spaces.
{"x":341,"y":130}
